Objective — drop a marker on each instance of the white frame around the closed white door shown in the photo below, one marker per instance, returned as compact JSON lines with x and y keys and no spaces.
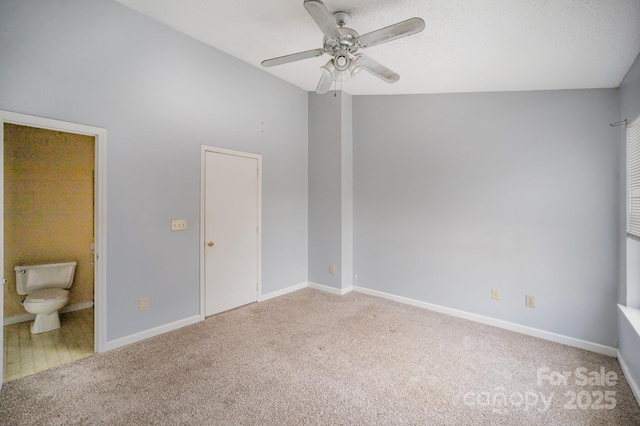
{"x":203,"y":151}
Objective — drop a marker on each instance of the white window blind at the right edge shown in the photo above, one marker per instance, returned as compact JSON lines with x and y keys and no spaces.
{"x":633,"y":190}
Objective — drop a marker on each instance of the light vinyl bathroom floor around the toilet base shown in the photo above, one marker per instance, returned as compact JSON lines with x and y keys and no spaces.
{"x":26,"y":353}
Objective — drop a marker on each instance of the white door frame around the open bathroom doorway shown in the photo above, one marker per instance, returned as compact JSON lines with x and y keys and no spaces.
{"x":100,"y":208}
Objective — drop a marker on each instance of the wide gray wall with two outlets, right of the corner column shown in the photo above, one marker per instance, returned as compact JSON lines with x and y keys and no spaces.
{"x":456,"y":194}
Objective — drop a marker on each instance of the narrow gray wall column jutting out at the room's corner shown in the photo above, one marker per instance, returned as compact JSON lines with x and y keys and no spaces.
{"x":331,"y":189}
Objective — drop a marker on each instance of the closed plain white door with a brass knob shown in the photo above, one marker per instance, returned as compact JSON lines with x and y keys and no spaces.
{"x":231,"y":231}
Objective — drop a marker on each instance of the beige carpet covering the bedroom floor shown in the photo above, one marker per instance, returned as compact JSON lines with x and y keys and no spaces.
{"x":314,"y":358}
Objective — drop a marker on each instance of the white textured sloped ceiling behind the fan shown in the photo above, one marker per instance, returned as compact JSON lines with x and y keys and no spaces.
{"x":467,"y":45}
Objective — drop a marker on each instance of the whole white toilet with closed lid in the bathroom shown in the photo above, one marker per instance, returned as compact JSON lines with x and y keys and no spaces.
{"x":46,"y":289}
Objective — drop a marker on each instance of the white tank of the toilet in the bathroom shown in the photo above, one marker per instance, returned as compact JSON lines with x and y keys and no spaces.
{"x":30,"y":278}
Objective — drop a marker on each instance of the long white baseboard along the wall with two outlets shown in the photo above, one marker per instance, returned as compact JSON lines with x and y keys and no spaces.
{"x":530,"y":331}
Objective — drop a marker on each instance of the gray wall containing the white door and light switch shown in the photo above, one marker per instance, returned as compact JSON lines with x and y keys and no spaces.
{"x":160,"y":95}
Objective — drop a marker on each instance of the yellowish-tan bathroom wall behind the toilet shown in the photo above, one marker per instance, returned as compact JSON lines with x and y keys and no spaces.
{"x":48,"y":206}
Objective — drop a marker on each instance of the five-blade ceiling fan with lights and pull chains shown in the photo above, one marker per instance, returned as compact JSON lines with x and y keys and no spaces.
{"x":343,"y":43}
